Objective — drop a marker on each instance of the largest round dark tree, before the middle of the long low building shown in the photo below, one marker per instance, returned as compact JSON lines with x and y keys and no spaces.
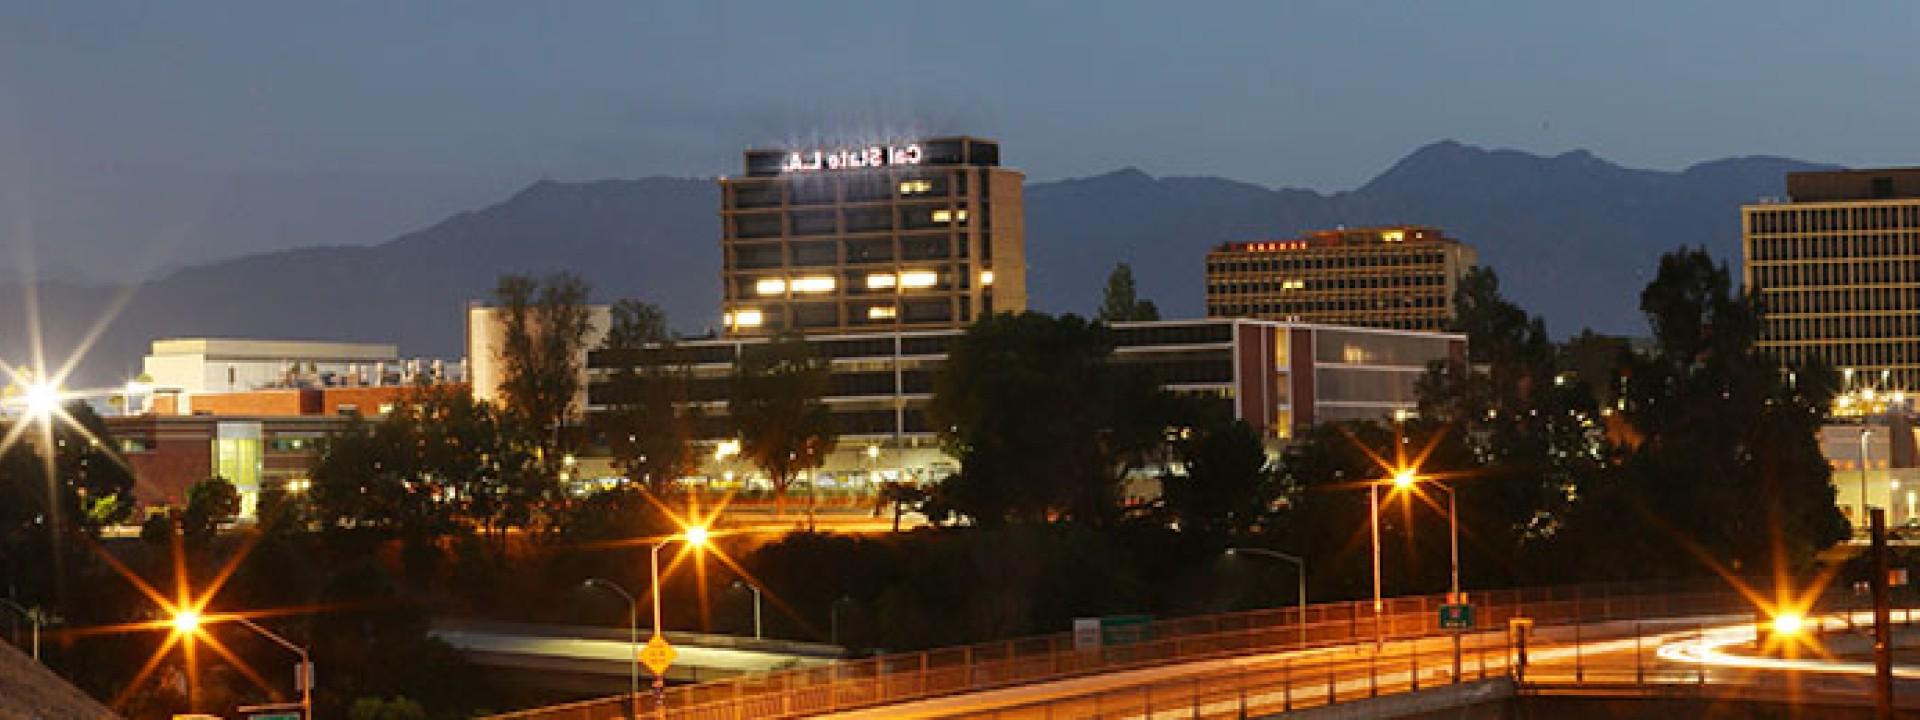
{"x":1044,"y":423}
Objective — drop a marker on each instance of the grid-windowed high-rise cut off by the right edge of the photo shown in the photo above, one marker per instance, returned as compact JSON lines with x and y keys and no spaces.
{"x":1836,"y":270}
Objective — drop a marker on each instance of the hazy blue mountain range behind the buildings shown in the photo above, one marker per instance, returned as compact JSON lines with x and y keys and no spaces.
{"x":1573,"y":239}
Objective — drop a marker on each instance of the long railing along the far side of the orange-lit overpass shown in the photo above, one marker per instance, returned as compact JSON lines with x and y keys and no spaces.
{"x":907,"y":677}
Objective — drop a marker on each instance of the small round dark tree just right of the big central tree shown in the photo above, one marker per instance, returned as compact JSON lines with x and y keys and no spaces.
{"x":1230,"y":485}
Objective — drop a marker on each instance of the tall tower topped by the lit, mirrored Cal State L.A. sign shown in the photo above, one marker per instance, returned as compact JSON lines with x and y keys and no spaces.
{"x":884,"y":237}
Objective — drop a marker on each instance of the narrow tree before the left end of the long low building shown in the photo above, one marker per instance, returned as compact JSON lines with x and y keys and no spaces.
{"x":648,"y":425}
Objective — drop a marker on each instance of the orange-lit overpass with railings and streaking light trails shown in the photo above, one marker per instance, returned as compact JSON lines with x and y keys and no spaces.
{"x":1610,"y":642}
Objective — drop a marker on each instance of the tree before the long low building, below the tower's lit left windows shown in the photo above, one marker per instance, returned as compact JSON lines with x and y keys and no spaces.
{"x":784,"y":427}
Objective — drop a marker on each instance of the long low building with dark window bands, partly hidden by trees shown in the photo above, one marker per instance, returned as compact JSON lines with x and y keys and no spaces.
{"x":1280,"y":377}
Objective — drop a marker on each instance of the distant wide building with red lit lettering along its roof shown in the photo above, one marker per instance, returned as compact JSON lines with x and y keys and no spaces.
{"x":1381,"y":277}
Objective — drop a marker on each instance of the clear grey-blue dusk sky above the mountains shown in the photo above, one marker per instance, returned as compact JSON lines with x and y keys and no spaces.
{"x":364,"y":120}
